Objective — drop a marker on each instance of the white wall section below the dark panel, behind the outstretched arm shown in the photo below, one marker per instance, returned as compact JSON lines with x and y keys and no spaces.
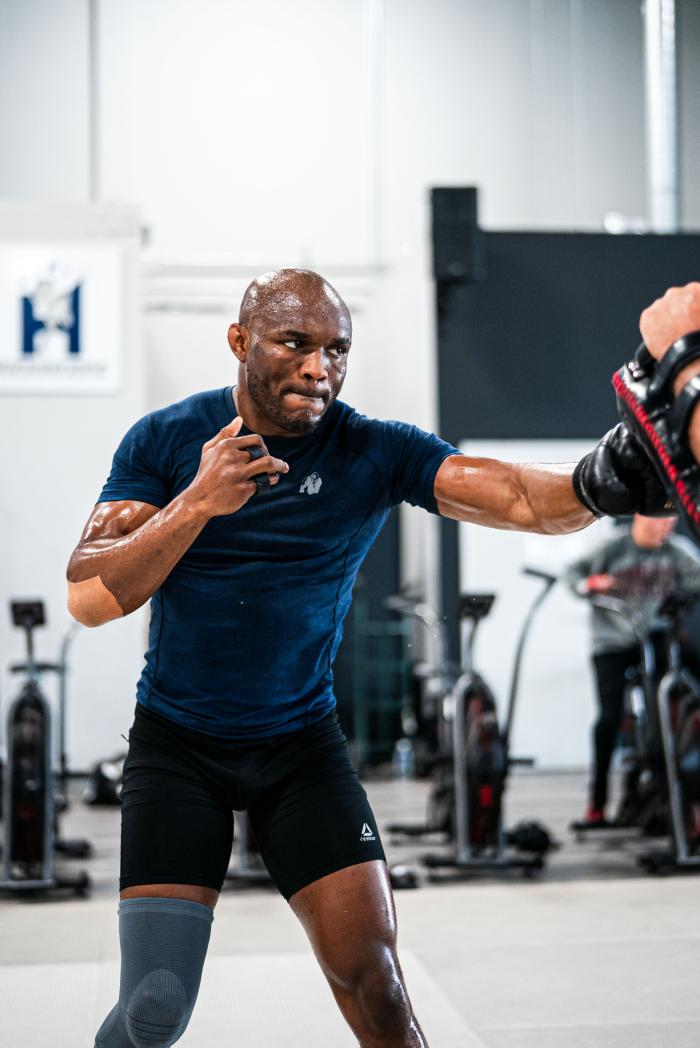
{"x":556,"y":701}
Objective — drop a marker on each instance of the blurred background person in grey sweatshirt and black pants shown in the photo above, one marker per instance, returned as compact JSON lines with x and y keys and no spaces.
{"x":640,"y":567}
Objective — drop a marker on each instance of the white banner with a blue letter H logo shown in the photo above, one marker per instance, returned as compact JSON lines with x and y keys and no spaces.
{"x":61,"y":318}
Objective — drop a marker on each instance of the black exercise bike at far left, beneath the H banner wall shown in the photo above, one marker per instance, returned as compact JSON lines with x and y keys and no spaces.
{"x":31,"y":805}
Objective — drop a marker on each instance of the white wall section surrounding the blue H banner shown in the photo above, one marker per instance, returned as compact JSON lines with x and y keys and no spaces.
{"x":55,"y":454}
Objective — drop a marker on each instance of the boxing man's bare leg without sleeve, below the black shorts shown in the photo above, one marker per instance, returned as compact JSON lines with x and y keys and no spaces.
{"x":351,"y":921}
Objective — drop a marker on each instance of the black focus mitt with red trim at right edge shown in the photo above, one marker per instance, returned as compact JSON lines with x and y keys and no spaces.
{"x":660,"y":420}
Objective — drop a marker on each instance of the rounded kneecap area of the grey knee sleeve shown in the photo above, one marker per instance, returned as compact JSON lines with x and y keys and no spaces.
{"x":159,"y":1011}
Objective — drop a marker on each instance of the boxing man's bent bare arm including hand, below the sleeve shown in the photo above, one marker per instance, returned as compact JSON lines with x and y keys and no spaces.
{"x":129,"y":549}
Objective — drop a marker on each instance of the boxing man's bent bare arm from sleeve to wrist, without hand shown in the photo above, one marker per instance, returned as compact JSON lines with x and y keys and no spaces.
{"x":115,"y":575}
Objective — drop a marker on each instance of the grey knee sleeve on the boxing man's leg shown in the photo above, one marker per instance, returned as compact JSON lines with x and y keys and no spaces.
{"x":164,"y":945}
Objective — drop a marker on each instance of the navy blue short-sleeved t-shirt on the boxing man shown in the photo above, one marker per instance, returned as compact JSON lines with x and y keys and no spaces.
{"x":246,"y":628}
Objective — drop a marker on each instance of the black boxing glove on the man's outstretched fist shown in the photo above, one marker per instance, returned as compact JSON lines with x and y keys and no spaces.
{"x":617,"y":479}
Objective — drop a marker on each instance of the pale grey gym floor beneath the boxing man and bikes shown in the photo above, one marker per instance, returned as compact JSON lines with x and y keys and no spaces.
{"x":593,"y":954}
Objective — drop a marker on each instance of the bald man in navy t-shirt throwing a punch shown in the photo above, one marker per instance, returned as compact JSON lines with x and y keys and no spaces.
{"x":245,"y":515}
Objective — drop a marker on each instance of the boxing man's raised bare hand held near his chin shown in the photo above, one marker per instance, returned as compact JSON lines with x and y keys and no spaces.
{"x":226,"y":478}
